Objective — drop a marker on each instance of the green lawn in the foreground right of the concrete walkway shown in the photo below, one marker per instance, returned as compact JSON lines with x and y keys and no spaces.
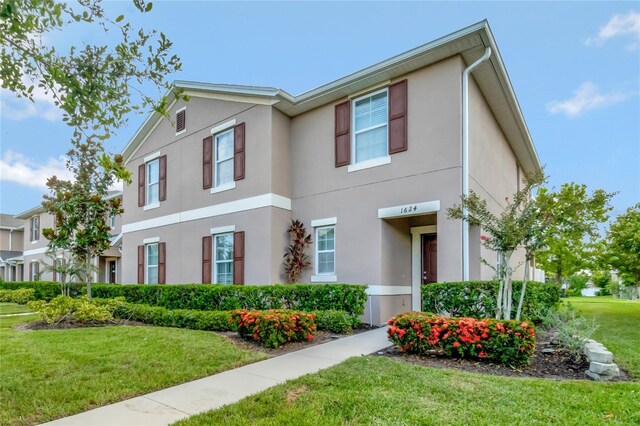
{"x":384,"y":391}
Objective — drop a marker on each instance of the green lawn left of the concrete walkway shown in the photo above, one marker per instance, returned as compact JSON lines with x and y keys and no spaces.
{"x":54,"y":373}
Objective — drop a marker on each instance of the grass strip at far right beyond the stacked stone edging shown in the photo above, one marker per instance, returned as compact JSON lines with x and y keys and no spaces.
{"x":619,"y":330}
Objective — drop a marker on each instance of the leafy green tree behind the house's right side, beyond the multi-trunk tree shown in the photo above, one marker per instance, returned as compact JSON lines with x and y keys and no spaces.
{"x":573,"y":217}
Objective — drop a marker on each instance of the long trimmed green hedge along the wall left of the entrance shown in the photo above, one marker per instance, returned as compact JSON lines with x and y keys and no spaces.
{"x":208,"y":297}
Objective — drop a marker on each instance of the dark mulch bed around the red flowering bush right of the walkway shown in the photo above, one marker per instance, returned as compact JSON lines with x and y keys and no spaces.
{"x":549,"y":361}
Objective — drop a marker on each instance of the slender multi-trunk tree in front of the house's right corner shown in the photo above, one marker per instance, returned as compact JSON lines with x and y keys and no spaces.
{"x":518,"y":225}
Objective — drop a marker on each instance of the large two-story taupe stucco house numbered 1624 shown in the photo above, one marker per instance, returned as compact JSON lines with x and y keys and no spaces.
{"x":369,"y":163}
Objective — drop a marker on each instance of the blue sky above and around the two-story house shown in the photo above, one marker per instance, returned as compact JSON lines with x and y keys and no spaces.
{"x":575,"y":67}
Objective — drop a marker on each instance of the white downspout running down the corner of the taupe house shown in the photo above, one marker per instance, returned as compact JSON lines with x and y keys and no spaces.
{"x":465,"y":158}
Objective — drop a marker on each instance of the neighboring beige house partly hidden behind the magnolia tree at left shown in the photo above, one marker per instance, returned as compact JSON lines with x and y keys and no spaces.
{"x":35,"y":256}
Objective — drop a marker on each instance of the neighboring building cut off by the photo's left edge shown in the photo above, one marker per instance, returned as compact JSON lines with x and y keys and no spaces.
{"x":11,"y":246}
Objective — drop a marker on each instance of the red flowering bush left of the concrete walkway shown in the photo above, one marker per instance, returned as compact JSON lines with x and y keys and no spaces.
{"x":274,"y":327}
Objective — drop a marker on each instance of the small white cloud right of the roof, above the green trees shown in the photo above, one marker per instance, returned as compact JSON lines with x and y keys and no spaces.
{"x":587,"y":97}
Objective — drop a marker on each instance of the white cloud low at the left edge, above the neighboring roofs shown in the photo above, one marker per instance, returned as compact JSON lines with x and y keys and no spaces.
{"x":15,"y":167}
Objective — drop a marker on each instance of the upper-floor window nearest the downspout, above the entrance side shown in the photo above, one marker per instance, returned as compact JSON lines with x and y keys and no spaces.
{"x":370,"y":119}
